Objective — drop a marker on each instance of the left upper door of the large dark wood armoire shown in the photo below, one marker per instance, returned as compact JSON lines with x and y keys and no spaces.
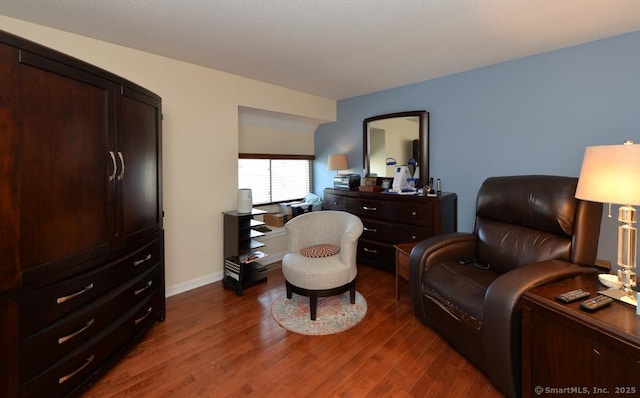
{"x":66,"y":200}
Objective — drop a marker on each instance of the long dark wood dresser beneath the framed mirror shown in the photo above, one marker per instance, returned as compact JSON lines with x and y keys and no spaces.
{"x":390,"y":219}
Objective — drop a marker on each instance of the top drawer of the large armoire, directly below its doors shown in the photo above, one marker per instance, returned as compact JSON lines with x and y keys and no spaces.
{"x":54,"y":302}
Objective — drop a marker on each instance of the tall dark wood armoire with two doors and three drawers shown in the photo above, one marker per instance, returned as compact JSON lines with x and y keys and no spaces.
{"x":82,"y":271}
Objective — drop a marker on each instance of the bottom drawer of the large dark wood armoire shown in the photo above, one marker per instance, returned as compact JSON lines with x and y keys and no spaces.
{"x":63,"y":377}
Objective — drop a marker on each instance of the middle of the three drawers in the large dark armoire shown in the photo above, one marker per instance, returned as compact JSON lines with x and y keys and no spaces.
{"x":44,"y":348}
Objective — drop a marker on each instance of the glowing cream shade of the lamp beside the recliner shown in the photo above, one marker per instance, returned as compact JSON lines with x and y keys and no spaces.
{"x":610,"y":174}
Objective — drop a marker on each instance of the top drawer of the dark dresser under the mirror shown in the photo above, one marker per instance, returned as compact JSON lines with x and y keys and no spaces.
{"x":403,"y":212}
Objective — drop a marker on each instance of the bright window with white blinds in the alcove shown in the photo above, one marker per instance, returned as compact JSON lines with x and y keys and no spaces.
{"x":275,"y":178}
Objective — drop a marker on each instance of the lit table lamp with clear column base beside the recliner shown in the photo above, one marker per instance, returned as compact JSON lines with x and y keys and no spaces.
{"x":611,"y":174}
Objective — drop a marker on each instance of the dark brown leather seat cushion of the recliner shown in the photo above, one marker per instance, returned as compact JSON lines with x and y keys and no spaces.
{"x":459,"y":289}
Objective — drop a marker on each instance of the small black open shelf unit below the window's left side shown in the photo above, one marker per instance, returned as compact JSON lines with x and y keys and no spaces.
{"x":241,"y":268}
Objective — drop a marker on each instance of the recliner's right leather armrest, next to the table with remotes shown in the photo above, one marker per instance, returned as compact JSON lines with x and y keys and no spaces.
{"x":501,"y":317}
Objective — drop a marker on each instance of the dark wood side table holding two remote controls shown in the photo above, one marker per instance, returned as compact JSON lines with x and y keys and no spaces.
{"x":568,"y":351}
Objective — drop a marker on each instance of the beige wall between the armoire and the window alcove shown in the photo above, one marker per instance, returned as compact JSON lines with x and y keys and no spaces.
{"x":200,"y":140}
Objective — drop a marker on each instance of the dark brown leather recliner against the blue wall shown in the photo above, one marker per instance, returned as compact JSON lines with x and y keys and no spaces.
{"x":529,"y":230}
